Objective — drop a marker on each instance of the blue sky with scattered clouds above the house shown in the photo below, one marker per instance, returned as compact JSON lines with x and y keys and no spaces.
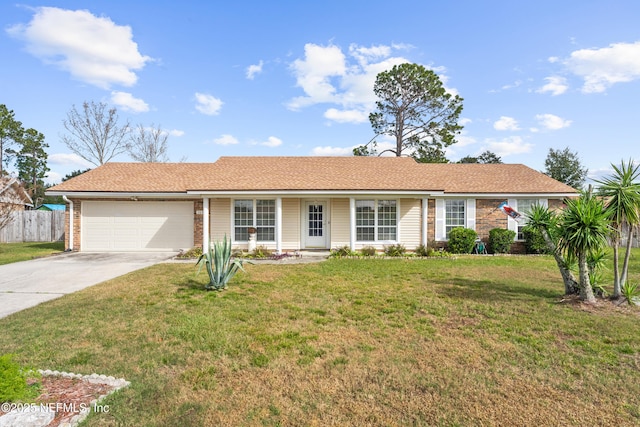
{"x":296,"y":77}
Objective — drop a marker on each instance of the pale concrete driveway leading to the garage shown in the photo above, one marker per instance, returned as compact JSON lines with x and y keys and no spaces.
{"x":28,"y":283}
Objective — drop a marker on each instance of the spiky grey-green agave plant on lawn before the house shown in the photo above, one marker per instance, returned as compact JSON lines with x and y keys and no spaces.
{"x":220,"y":267}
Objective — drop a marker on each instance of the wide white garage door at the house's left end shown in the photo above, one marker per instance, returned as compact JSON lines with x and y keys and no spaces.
{"x":137,"y":226}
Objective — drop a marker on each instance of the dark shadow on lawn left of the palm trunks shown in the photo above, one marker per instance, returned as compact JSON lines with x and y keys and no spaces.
{"x":492,"y":291}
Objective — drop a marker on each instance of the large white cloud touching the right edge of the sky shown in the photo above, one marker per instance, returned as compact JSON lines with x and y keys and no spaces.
{"x":604,"y":67}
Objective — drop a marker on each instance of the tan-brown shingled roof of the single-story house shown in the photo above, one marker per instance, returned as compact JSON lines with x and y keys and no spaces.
{"x":313,"y":174}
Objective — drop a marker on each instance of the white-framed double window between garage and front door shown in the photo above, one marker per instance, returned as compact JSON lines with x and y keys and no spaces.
{"x":258,"y":214}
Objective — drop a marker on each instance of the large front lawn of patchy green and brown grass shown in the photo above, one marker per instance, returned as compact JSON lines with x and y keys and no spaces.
{"x":471,"y":341}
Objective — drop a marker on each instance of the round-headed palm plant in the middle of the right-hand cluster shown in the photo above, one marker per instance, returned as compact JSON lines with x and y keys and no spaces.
{"x":584,"y":228}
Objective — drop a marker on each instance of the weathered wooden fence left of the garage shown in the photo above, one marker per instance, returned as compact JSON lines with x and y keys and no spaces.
{"x":34,"y":226}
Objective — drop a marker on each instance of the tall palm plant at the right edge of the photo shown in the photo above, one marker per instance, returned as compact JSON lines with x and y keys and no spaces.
{"x":622,"y":191}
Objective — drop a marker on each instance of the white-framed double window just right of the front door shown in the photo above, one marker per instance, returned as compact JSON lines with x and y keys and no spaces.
{"x":376,"y":220}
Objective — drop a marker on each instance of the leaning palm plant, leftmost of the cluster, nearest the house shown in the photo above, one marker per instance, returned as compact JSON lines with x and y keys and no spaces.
{"x":544,"y":220}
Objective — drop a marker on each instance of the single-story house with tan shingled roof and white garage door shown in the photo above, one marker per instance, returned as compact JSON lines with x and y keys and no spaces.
{"x":294,"y":202}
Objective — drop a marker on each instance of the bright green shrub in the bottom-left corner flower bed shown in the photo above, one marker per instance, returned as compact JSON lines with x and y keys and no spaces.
{"x":14,"y":381}
